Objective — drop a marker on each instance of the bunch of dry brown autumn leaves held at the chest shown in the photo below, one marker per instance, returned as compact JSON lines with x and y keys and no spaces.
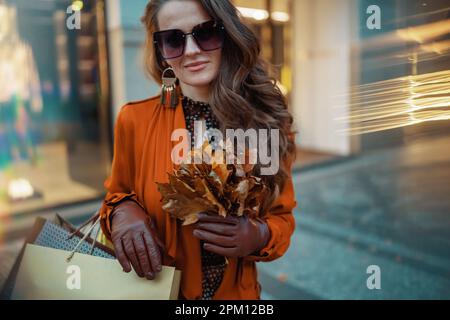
{"x":204,"y":182}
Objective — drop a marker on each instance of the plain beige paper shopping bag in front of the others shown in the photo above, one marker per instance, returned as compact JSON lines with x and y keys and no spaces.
{"x":45,"y":274}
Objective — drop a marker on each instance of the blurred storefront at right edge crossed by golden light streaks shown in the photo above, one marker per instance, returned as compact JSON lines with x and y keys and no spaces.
{"x":407,"y":63}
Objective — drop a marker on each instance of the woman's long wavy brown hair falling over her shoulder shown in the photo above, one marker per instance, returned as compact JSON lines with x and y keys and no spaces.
{"x":243,"y":95}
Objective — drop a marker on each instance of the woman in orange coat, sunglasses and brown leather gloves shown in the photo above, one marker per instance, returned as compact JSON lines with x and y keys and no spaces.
{"x":223,"y":82}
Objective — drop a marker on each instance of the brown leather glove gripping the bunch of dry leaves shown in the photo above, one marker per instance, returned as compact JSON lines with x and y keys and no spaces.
{"x":232,"y":236}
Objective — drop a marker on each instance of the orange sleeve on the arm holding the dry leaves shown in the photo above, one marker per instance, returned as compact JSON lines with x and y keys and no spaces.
{"x":281,"y":223}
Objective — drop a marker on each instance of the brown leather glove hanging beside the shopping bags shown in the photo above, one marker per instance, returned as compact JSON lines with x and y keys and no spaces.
{"x":135,"y":241}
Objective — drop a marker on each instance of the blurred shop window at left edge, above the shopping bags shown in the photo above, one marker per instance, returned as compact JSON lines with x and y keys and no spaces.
{"x":54,"y":141}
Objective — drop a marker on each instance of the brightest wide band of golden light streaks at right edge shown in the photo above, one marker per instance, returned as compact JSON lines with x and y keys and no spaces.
{"x":399,"y":102}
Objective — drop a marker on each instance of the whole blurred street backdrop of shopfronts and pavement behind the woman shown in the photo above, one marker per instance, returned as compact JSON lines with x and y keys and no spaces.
{"x":371,"y":107}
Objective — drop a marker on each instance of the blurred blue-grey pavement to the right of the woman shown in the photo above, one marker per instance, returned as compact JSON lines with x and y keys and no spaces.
{"x":389,"y":208}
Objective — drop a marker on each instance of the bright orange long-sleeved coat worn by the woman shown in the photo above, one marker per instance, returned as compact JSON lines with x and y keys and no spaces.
{"x":142,"y":156}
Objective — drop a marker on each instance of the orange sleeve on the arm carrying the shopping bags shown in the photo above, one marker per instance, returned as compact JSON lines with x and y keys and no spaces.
{"x":120,"y":183}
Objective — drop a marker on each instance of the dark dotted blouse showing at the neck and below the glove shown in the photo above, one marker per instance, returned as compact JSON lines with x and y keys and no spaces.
{"x":213,"y":265}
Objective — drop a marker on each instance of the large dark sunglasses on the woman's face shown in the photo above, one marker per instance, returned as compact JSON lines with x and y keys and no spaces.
{"x":171,"y":43}
